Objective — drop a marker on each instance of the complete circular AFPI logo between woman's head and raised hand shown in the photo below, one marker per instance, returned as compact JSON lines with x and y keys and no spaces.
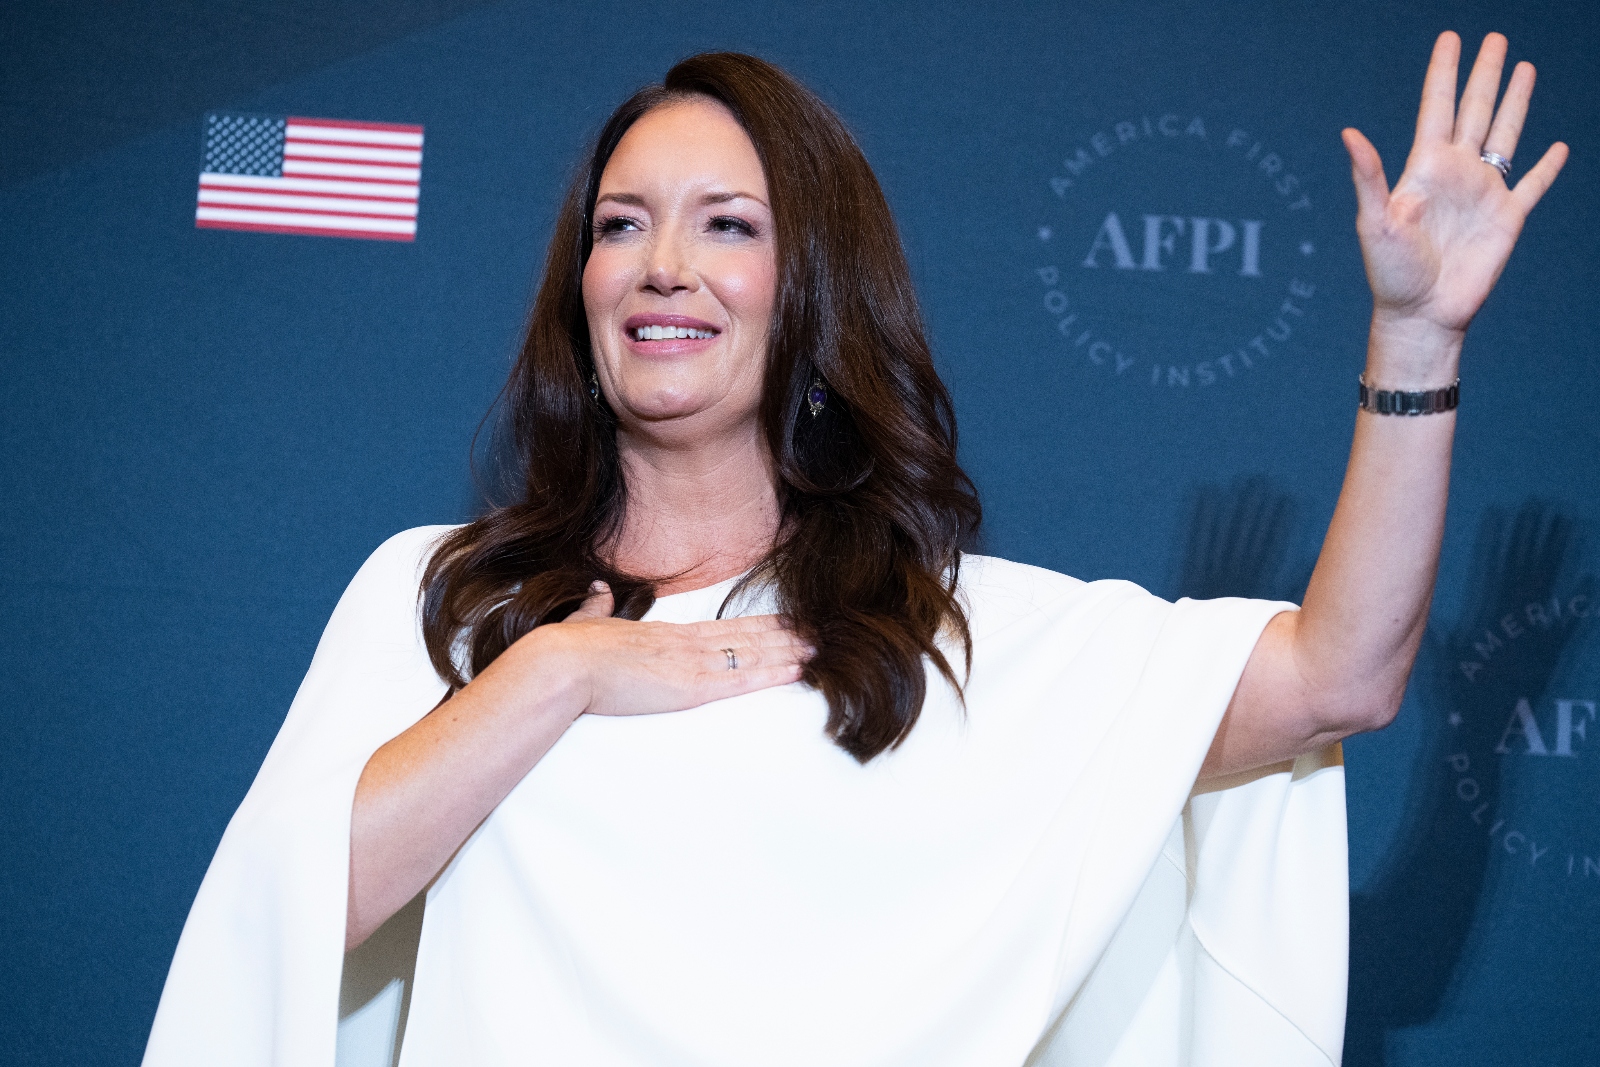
{"x":1175,"y":254}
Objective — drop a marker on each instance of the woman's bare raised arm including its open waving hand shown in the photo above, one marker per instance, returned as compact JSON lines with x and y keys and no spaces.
{"x":1434,"y":249}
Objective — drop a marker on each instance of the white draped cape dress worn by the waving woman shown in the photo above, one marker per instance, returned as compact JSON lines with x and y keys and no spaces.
{"x":1030,"y":881}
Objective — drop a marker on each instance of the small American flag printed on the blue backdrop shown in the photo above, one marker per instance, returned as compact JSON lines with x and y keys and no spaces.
{"x":310,"y":177}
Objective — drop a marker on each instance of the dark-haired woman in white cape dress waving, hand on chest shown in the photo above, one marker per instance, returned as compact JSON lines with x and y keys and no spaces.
{"x":846,"y":796}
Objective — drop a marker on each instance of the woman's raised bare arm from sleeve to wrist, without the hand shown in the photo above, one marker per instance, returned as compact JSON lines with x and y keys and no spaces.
{"x":1340,"y":665}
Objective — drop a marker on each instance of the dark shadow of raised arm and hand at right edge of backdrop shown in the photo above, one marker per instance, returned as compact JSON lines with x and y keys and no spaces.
{"x":1410,"y":927}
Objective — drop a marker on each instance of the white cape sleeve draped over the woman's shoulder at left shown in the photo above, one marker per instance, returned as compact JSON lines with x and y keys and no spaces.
{"x":255,"y":981}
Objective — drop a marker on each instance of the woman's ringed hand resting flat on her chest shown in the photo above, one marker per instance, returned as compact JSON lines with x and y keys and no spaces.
{"x":622,"y":668}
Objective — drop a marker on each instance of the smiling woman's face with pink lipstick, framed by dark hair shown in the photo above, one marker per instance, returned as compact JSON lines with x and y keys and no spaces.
{"x":681,"y":284}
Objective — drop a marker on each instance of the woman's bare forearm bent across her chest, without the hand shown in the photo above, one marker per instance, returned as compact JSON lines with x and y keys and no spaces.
{"x":425,"y":793}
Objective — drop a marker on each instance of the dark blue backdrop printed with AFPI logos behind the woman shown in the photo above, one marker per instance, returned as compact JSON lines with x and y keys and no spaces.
{"x":206,"y":433}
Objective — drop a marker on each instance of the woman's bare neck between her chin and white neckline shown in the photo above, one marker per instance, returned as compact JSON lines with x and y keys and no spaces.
{"x":695,"y":516}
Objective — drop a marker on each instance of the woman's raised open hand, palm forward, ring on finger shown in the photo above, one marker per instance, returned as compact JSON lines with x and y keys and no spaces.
{"x":1436,"y":246}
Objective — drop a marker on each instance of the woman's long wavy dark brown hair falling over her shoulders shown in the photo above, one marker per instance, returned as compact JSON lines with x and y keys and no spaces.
{"x":874,"y":508}
